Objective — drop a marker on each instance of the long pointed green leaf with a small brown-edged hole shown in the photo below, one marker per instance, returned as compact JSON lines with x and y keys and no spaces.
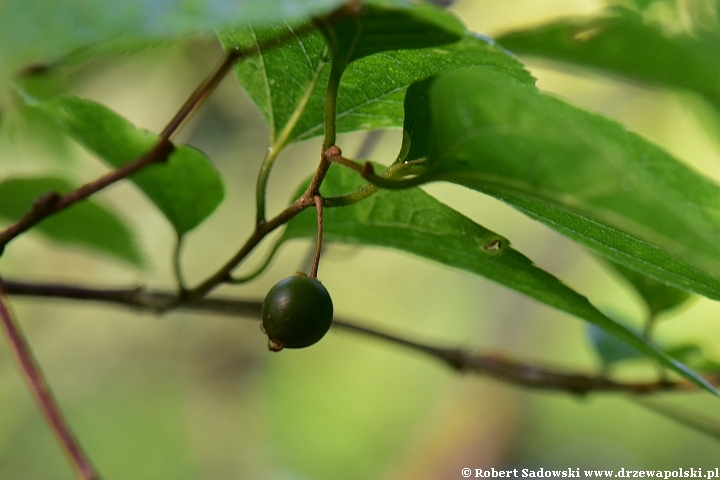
{"x":414,"y":222}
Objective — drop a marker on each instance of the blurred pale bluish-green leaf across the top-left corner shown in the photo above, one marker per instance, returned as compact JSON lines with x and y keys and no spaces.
{"x":43,"y":30}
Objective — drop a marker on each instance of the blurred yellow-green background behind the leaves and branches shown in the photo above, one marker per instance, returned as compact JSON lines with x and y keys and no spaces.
{"x":191,"y":396}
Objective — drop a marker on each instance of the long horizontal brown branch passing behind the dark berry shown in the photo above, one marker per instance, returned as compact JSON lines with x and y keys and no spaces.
{"x":496,"y":366}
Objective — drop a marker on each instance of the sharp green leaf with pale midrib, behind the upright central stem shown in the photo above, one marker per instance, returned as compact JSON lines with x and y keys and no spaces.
{"x":288,"y":84}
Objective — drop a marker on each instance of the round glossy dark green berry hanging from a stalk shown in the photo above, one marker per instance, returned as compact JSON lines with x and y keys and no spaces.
{"x":297,"y":312}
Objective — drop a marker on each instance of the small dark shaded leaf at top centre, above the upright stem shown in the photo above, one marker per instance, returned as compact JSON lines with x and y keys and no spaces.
{"x":380,"y":29}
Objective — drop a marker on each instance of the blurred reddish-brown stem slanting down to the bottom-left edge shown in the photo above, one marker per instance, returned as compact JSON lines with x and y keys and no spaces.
{"x":43,"y":396}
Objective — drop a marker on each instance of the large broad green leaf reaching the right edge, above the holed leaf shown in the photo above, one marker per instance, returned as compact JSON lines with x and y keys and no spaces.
{"x":579,"y":173}
